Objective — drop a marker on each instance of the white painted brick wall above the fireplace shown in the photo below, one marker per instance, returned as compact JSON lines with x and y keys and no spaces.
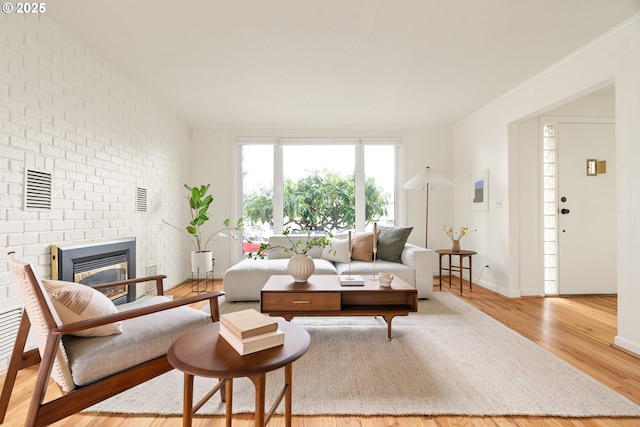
{"x":65,"y":110}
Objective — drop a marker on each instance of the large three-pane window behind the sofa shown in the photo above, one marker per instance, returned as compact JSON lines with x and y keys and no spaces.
{"x":322,"y":185}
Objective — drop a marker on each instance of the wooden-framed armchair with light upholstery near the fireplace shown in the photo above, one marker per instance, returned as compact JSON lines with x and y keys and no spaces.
{"x":157,"y":321}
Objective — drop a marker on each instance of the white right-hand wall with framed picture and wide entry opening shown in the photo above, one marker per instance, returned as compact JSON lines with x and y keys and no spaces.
{"x":488,"y":140}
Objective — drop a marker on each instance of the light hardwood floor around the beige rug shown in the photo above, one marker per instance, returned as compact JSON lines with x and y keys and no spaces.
{"x":578,"y":330}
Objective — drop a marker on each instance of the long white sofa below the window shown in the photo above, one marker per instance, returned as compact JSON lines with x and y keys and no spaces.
{"x":243,"y":281}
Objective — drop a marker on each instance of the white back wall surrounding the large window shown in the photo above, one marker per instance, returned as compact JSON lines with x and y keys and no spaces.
{"x":215,"y":160}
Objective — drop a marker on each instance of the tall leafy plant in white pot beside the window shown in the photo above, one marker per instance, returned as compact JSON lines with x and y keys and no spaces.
{"x":199,"y":203}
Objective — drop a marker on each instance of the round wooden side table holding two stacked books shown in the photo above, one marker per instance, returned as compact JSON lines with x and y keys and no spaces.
{"x":201,"y":352}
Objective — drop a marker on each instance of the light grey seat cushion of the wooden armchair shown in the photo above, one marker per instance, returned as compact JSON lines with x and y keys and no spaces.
{"x":145,"y":338}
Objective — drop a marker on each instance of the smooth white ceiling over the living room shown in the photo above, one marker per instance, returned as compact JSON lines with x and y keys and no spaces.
{"x":353,"y":63}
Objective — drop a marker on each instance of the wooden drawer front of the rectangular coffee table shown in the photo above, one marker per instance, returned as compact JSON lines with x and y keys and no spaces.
{"x":300,"y":301}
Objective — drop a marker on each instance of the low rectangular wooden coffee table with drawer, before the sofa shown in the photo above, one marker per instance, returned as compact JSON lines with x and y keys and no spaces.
{"x":323,"y":295}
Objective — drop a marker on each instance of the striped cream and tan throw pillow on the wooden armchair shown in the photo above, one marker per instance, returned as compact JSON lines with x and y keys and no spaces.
{"x":75,"y":302}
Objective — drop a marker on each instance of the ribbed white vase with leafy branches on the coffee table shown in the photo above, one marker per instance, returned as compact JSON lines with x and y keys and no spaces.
{"x":301,"y":265}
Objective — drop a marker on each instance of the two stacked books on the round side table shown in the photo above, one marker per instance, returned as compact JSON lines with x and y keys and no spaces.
{"x":249,"y":331}
